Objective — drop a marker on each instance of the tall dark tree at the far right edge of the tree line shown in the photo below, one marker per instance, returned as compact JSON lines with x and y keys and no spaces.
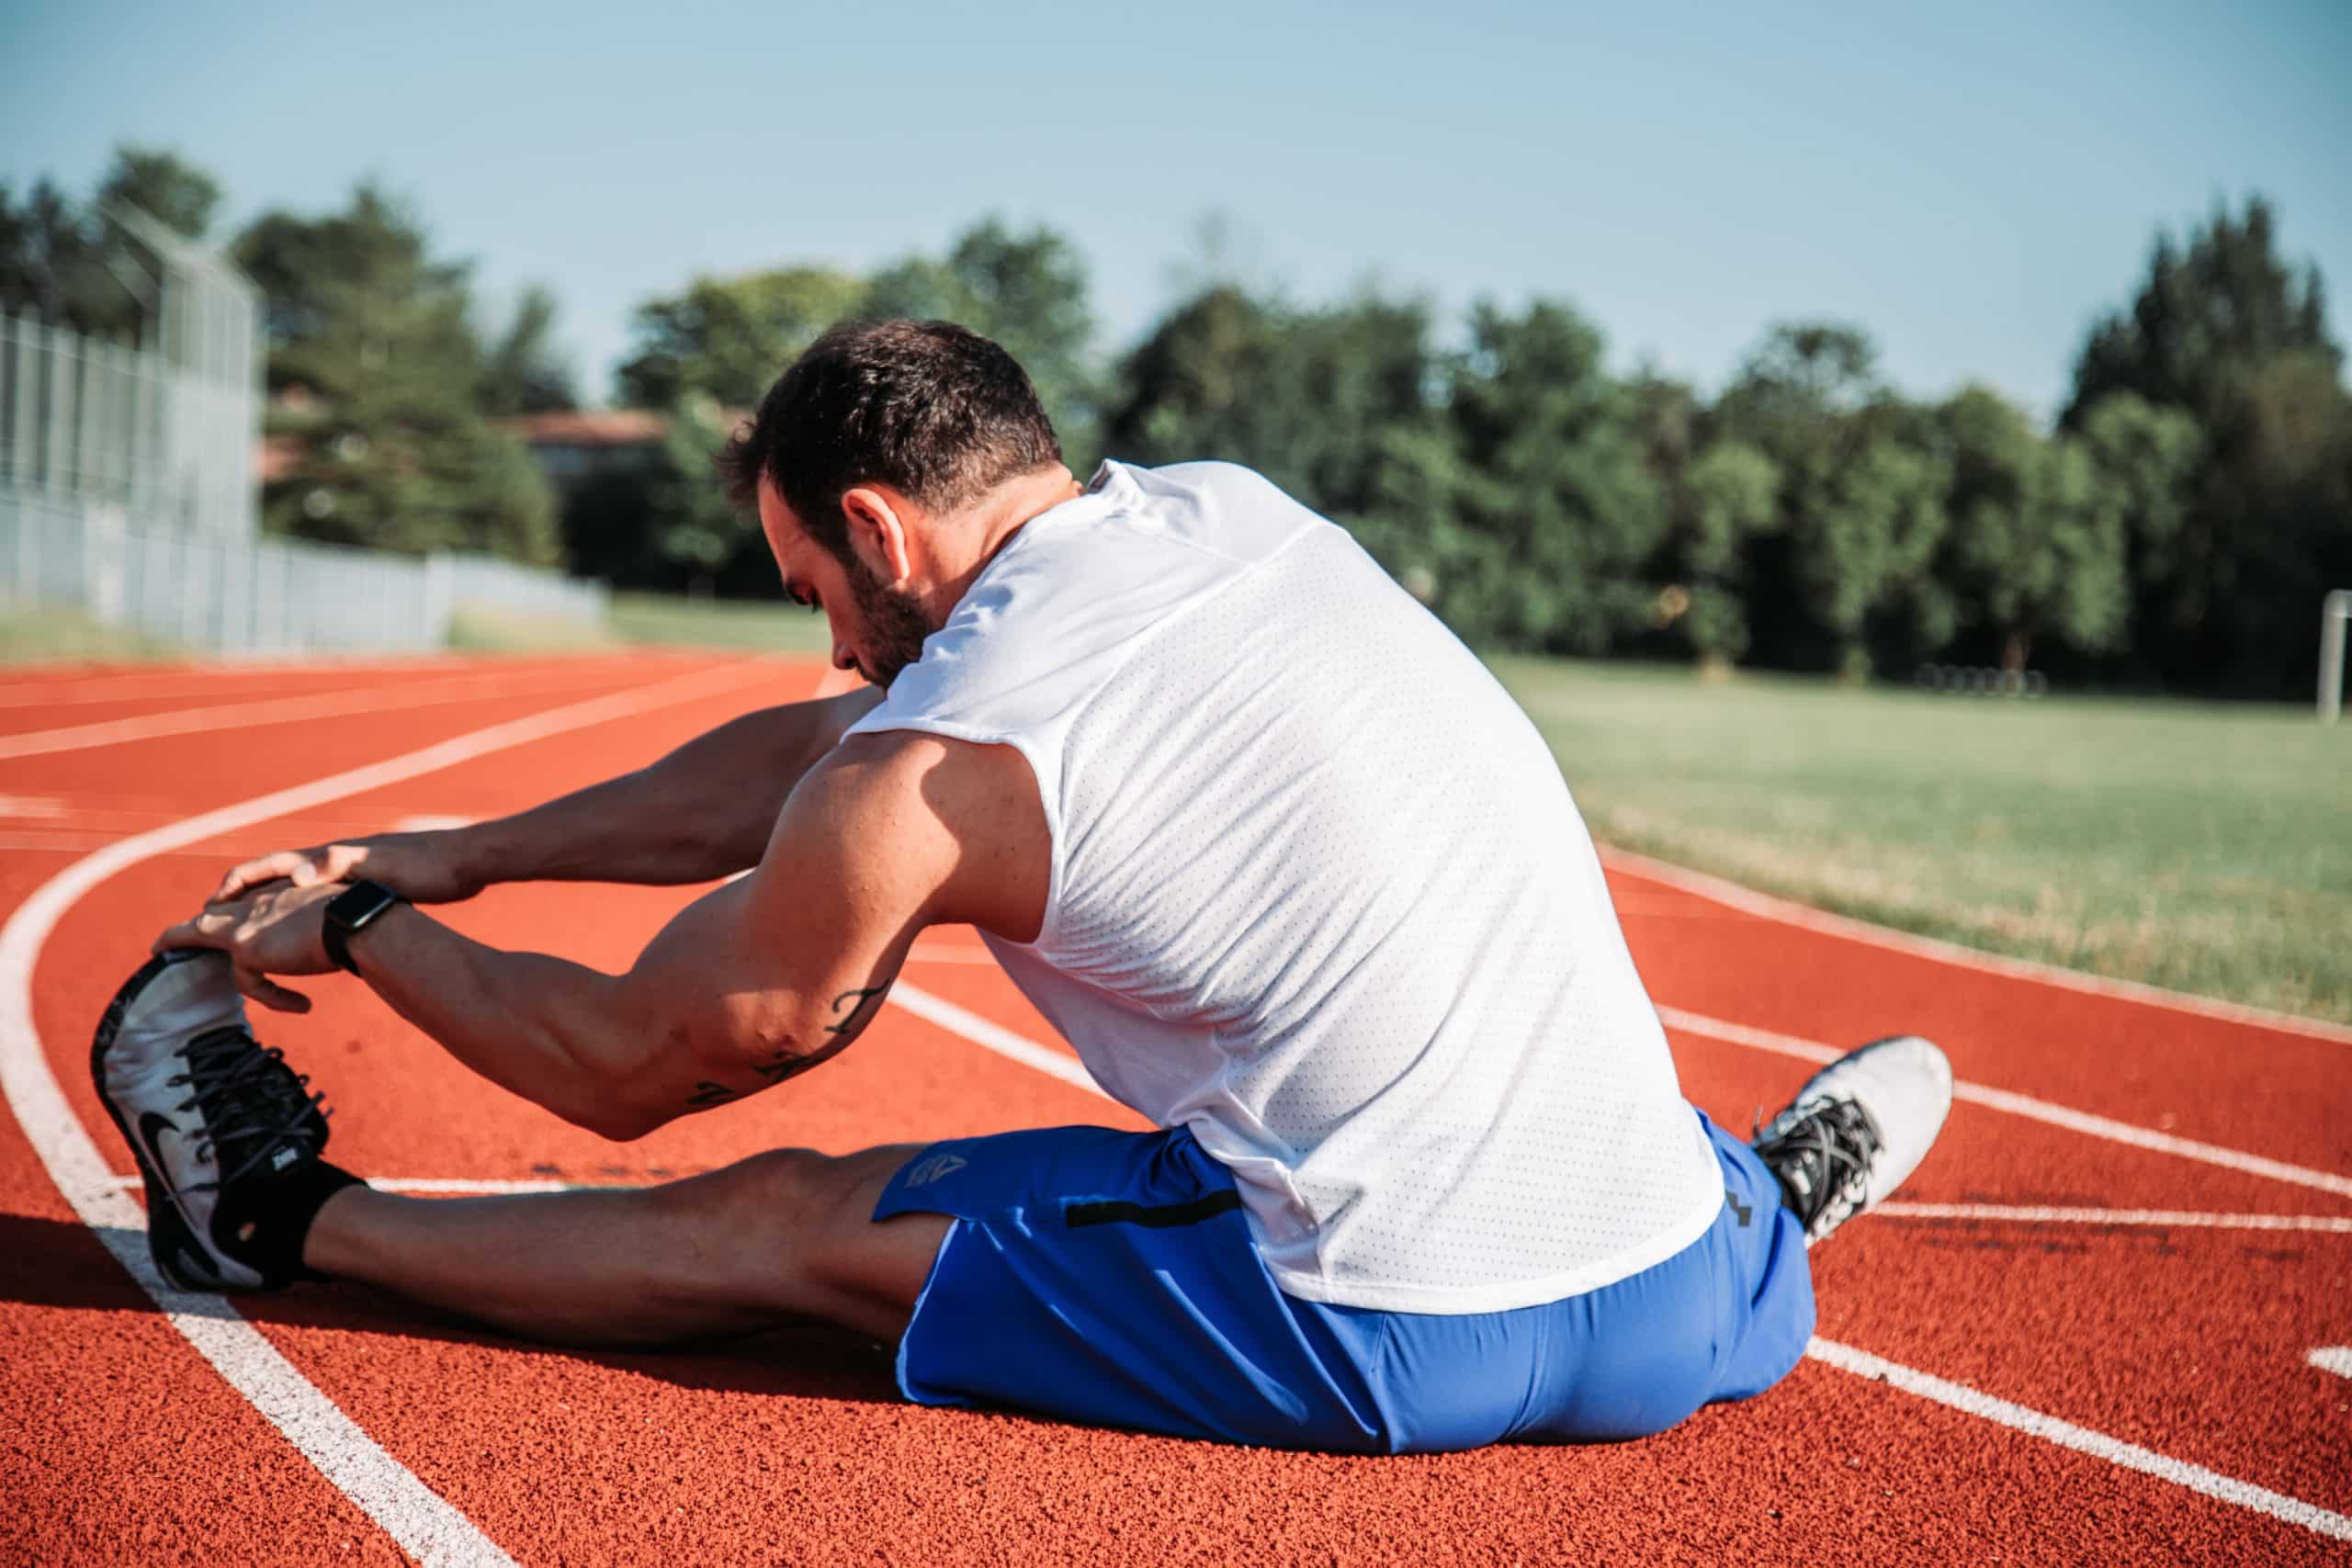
{"x":2226,"y":333}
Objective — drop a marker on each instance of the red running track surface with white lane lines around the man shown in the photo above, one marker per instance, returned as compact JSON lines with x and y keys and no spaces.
{"x":2094,"y":1329}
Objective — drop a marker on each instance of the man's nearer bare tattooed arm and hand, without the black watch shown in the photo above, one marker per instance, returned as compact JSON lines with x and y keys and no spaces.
{"x":754,"y":984}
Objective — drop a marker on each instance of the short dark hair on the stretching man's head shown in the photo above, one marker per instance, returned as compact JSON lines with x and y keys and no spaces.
{"x":928,"y":408}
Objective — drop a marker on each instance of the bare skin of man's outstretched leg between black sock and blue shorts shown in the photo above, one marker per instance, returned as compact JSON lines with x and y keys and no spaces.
{"x":777,"y":1238}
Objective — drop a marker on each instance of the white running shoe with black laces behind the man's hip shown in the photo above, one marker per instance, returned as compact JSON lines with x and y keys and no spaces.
{"x":1857,"y":1132}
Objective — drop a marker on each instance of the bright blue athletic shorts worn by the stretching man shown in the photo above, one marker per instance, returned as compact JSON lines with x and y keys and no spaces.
{"x":1111,"y":1278}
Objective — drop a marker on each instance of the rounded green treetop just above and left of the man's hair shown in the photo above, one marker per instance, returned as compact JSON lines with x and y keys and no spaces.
{"x":730,"y":337}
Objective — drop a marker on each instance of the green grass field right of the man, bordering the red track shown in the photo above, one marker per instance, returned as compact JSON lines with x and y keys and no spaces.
{"x":2191,"y":845}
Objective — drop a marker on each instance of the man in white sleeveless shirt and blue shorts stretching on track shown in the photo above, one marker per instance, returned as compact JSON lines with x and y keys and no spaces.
{"x":1252,"y":831}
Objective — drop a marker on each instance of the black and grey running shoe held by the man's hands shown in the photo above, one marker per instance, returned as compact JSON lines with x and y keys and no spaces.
{"x":215,"y":1120}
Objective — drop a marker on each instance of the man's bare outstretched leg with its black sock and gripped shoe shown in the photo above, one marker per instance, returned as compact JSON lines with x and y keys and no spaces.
{"x":239,"y":1198}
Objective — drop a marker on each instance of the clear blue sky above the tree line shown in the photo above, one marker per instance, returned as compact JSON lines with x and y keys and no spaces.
{"x":1975,"y":185}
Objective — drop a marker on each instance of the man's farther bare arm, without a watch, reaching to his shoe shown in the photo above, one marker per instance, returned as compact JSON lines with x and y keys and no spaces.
{"x":697,"y":815}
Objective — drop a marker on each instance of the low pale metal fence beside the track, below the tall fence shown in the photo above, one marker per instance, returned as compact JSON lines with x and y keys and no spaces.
{"x":258,"y":596}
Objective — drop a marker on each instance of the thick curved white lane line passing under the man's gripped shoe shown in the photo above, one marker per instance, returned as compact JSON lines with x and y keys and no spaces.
{"x":389,"y":1492}
